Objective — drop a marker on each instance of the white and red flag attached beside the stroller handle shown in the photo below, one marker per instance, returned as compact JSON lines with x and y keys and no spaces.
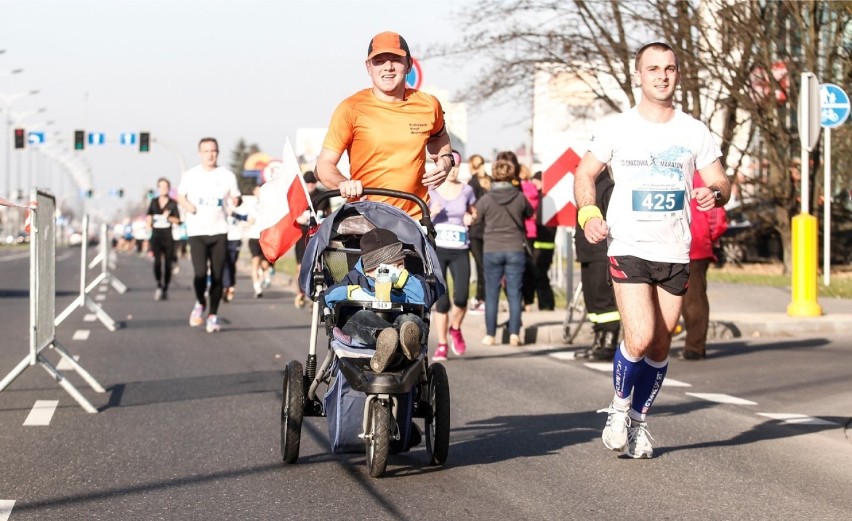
{"x":281,"y":200}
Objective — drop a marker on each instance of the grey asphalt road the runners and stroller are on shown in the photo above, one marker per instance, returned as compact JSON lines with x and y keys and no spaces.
{"x":189,"y":425}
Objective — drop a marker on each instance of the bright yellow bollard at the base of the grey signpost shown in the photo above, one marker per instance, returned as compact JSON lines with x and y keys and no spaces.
{"x":804,"y":283}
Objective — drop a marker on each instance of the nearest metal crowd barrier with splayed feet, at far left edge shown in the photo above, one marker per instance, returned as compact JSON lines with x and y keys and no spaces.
{"x":42,"y":224}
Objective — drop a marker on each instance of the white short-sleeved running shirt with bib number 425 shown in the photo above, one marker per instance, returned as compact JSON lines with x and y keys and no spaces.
{"x":652,"y":166}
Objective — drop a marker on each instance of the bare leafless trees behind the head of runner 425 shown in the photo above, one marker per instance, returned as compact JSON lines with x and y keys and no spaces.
{"x":740,"y":64}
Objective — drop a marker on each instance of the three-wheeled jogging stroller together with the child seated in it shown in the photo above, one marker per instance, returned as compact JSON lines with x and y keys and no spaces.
{"x":369,"y":410}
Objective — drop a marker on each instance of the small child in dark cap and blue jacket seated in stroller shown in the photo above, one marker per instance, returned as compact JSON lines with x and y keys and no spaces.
{"x":406,"y":337}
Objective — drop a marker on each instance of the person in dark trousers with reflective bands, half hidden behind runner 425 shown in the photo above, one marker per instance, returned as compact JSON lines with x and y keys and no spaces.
{"x":597,"y":288}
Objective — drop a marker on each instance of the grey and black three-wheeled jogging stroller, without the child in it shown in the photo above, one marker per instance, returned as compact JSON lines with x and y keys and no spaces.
{"x":366,"y":410}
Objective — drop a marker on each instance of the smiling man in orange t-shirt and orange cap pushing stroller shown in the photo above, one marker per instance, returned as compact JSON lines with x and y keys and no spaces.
{"x":387,"y":131}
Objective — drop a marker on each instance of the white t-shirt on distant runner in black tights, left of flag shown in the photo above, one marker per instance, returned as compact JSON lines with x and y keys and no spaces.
{"x":211,"y":193}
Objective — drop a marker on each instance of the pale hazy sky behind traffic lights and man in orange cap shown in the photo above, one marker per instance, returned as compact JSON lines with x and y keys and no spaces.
{"x":184,"y":69}
